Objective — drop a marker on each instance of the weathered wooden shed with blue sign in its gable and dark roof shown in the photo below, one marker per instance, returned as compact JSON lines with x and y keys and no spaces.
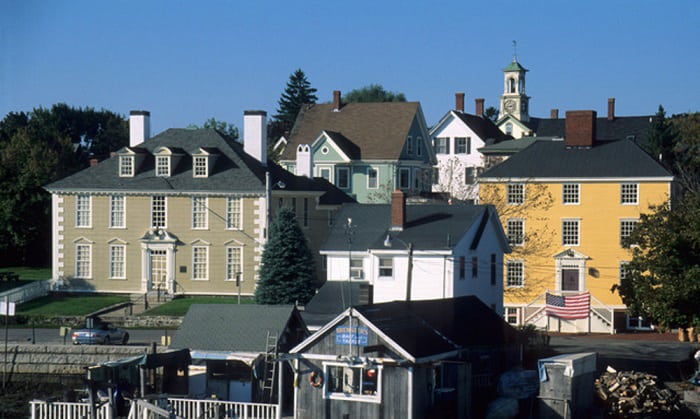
{"x":402,"y":360}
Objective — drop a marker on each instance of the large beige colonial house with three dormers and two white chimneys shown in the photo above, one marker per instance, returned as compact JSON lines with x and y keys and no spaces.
{"x":184,"y":212}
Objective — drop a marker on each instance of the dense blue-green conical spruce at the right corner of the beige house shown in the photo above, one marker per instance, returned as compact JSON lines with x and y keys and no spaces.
{"x":287,"y":272}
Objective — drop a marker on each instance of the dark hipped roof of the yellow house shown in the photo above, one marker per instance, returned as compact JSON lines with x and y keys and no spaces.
{"x":607,"y":159}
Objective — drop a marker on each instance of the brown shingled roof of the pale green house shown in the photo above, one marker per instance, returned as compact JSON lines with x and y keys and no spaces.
{"x":378,"y":130}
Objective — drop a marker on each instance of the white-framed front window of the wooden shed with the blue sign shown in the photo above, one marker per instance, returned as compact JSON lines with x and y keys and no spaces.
{"x":353,"y":381}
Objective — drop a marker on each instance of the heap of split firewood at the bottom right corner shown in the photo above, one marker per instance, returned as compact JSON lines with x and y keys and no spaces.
{"x":631,"y":393}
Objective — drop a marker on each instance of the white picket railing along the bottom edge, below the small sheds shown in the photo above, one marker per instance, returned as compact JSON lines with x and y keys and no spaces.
{"x":177,"y":408}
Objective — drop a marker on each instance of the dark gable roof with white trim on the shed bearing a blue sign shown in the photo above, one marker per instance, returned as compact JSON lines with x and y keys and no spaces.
{"x":429,"y":328}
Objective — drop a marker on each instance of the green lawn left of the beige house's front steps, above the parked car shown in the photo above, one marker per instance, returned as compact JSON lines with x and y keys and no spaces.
{"x":68,"y":305}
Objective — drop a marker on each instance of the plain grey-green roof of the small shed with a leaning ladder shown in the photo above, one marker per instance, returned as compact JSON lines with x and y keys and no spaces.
{"x":232,"y":327}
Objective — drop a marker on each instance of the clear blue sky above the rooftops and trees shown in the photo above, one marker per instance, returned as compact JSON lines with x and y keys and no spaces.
{"x":186,"y":61}
